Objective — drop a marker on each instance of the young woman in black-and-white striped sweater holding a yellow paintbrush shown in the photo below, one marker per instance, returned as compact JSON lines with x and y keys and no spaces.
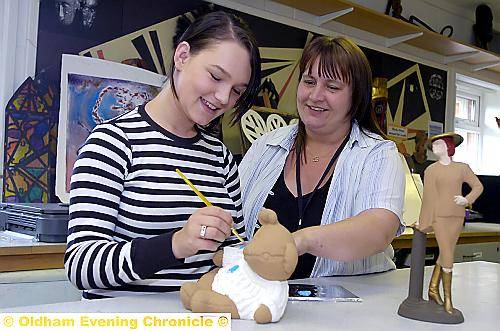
{"x":135,"y":226}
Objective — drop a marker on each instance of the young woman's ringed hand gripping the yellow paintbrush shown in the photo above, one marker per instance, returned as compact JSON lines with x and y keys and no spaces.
{"x":189,"y":240}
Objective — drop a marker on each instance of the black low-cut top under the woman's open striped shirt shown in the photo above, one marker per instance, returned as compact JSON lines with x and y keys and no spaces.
{"x":282,"y":201}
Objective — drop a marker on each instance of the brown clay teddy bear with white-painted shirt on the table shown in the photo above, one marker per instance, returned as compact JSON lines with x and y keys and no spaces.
{"x":252,"y":283}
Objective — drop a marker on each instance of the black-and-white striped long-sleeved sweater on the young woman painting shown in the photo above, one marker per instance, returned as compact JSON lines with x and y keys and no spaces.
{"x":126,"y":201}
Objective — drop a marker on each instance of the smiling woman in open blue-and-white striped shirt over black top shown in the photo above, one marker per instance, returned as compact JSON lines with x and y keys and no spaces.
{"x":338,"y":187}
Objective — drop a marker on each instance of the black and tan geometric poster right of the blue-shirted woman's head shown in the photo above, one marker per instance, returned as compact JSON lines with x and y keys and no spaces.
{"x":416,"y":97}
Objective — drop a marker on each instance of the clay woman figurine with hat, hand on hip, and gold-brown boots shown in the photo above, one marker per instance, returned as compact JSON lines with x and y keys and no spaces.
{"x":443,"y":209}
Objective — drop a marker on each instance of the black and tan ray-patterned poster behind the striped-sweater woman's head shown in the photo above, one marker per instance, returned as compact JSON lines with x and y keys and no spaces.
{"x":152,"y":48}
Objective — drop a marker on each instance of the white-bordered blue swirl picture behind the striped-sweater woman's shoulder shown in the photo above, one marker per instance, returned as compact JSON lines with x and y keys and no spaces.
{"x":93,"y":91}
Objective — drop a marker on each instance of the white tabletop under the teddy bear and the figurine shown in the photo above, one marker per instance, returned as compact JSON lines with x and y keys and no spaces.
{"x":476,"y":292}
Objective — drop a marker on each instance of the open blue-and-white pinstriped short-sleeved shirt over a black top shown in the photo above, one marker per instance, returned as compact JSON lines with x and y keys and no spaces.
{"x":369,"y":174}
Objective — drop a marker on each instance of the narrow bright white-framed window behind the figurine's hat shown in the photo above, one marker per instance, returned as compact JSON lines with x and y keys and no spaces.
{"x":467,"y":111}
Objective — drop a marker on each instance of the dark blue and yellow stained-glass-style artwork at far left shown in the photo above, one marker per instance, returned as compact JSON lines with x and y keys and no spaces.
{"x":30,"y":144}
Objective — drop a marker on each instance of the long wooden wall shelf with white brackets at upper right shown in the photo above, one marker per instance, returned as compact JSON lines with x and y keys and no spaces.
{"x":397,"y":31}
